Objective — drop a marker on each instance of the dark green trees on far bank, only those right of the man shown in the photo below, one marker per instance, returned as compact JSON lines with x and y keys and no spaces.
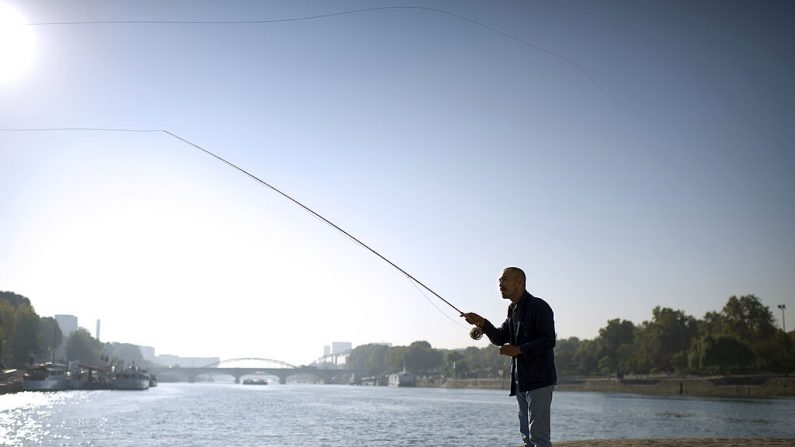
{"x":739,"y":338}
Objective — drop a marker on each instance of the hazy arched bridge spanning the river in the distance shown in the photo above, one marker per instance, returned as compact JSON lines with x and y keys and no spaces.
{"x":280,"y":369}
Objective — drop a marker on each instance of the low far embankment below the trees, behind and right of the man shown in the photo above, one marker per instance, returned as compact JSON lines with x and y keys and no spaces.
{"x":728,"y":386}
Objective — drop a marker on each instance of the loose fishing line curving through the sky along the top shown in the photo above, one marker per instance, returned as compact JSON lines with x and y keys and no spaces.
{"x":361,"y":11}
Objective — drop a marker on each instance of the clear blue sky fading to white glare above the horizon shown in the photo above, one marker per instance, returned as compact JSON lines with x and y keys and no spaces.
{"x":625,"y":154}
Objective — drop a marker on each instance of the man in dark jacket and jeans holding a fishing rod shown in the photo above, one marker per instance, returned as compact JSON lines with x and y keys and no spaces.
{"x":528,"y":337}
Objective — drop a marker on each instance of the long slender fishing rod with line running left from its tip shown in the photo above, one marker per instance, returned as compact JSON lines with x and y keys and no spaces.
{"x":257,"y":179}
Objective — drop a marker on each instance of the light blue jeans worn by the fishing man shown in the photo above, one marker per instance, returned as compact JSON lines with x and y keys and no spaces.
{"x":534,"y":411}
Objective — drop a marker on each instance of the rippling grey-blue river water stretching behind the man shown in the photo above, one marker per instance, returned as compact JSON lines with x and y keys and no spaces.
{"x":181,"y":414}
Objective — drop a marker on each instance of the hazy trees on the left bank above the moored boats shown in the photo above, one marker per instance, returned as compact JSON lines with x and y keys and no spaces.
{"x":26,"y":338}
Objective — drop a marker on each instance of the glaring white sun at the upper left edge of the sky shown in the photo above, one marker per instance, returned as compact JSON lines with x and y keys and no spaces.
{"x":17,"y":44}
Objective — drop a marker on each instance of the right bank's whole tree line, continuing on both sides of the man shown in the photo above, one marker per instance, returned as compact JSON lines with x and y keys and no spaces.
{"x":741,"y":338}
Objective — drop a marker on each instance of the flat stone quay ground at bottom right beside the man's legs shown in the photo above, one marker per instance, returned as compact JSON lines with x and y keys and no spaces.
{"x":683,"y":442}
